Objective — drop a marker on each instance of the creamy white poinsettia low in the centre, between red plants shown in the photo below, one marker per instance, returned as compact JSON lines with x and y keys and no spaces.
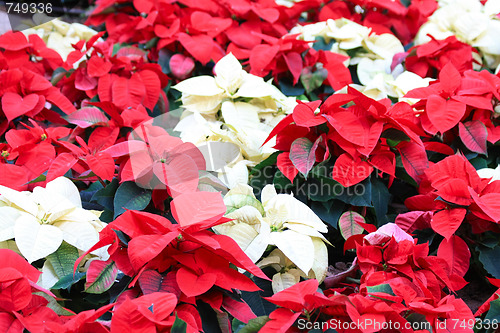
{"x":281,"y":221}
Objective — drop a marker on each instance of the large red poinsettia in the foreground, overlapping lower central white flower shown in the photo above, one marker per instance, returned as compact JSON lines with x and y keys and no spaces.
{"x":182,"y":262}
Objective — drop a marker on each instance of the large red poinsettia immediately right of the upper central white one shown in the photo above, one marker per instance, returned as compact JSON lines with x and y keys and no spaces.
{"x":354,"y":137}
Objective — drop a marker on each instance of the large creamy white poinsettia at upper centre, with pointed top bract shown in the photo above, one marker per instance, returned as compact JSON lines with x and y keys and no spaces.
{"x":233,"y":106}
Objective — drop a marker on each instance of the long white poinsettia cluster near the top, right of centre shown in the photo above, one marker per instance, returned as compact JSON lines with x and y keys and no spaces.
{"x":372,"y":53}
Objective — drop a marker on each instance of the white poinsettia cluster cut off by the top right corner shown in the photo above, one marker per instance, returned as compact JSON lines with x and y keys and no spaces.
{"x":470,"y":22}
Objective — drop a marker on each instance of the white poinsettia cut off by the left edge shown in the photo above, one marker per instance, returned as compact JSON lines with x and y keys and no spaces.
{"x":41,"y":220}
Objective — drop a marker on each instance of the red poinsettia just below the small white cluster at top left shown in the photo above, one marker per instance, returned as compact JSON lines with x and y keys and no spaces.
{"x":124,"y":79}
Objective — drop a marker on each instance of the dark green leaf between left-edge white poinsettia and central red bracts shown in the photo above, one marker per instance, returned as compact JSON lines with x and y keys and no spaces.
{"x":130,"y":196}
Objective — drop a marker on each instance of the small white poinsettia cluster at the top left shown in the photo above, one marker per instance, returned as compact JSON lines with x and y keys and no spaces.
{"x":60,"y":35}
